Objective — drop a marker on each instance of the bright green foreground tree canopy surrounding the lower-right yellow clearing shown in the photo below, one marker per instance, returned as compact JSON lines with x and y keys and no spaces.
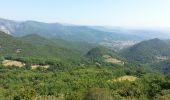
{"x":76,"y":83}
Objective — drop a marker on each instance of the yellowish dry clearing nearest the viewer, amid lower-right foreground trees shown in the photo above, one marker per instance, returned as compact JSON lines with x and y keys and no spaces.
{"x":124,"y":78}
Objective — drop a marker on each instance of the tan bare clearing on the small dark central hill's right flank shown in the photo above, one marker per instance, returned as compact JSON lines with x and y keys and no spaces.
{"x":109,"y":59}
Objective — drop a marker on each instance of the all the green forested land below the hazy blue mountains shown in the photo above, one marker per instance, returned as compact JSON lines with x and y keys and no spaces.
{"x":35,"y":68}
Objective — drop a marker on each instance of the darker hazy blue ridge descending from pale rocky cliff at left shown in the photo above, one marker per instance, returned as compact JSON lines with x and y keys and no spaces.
{"x":63,"y":31}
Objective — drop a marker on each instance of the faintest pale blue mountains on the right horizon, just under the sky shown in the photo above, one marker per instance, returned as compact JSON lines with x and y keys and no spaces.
{"x":138,"y":33}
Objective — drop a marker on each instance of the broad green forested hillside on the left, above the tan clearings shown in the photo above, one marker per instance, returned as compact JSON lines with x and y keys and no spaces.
{"x":35,"y":46}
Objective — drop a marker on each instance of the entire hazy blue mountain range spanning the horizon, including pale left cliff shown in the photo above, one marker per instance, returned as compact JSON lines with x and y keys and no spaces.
{"x":69,"y":32}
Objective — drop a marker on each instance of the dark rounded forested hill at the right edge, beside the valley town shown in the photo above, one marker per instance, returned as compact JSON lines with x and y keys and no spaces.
{"x":148,"y":51}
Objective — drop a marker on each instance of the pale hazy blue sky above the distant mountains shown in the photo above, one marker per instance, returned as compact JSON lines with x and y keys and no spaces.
{"x":133,"y":13}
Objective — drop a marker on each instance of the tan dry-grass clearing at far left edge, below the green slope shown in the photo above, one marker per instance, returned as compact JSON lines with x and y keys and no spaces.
{"x":12,"y":63}
